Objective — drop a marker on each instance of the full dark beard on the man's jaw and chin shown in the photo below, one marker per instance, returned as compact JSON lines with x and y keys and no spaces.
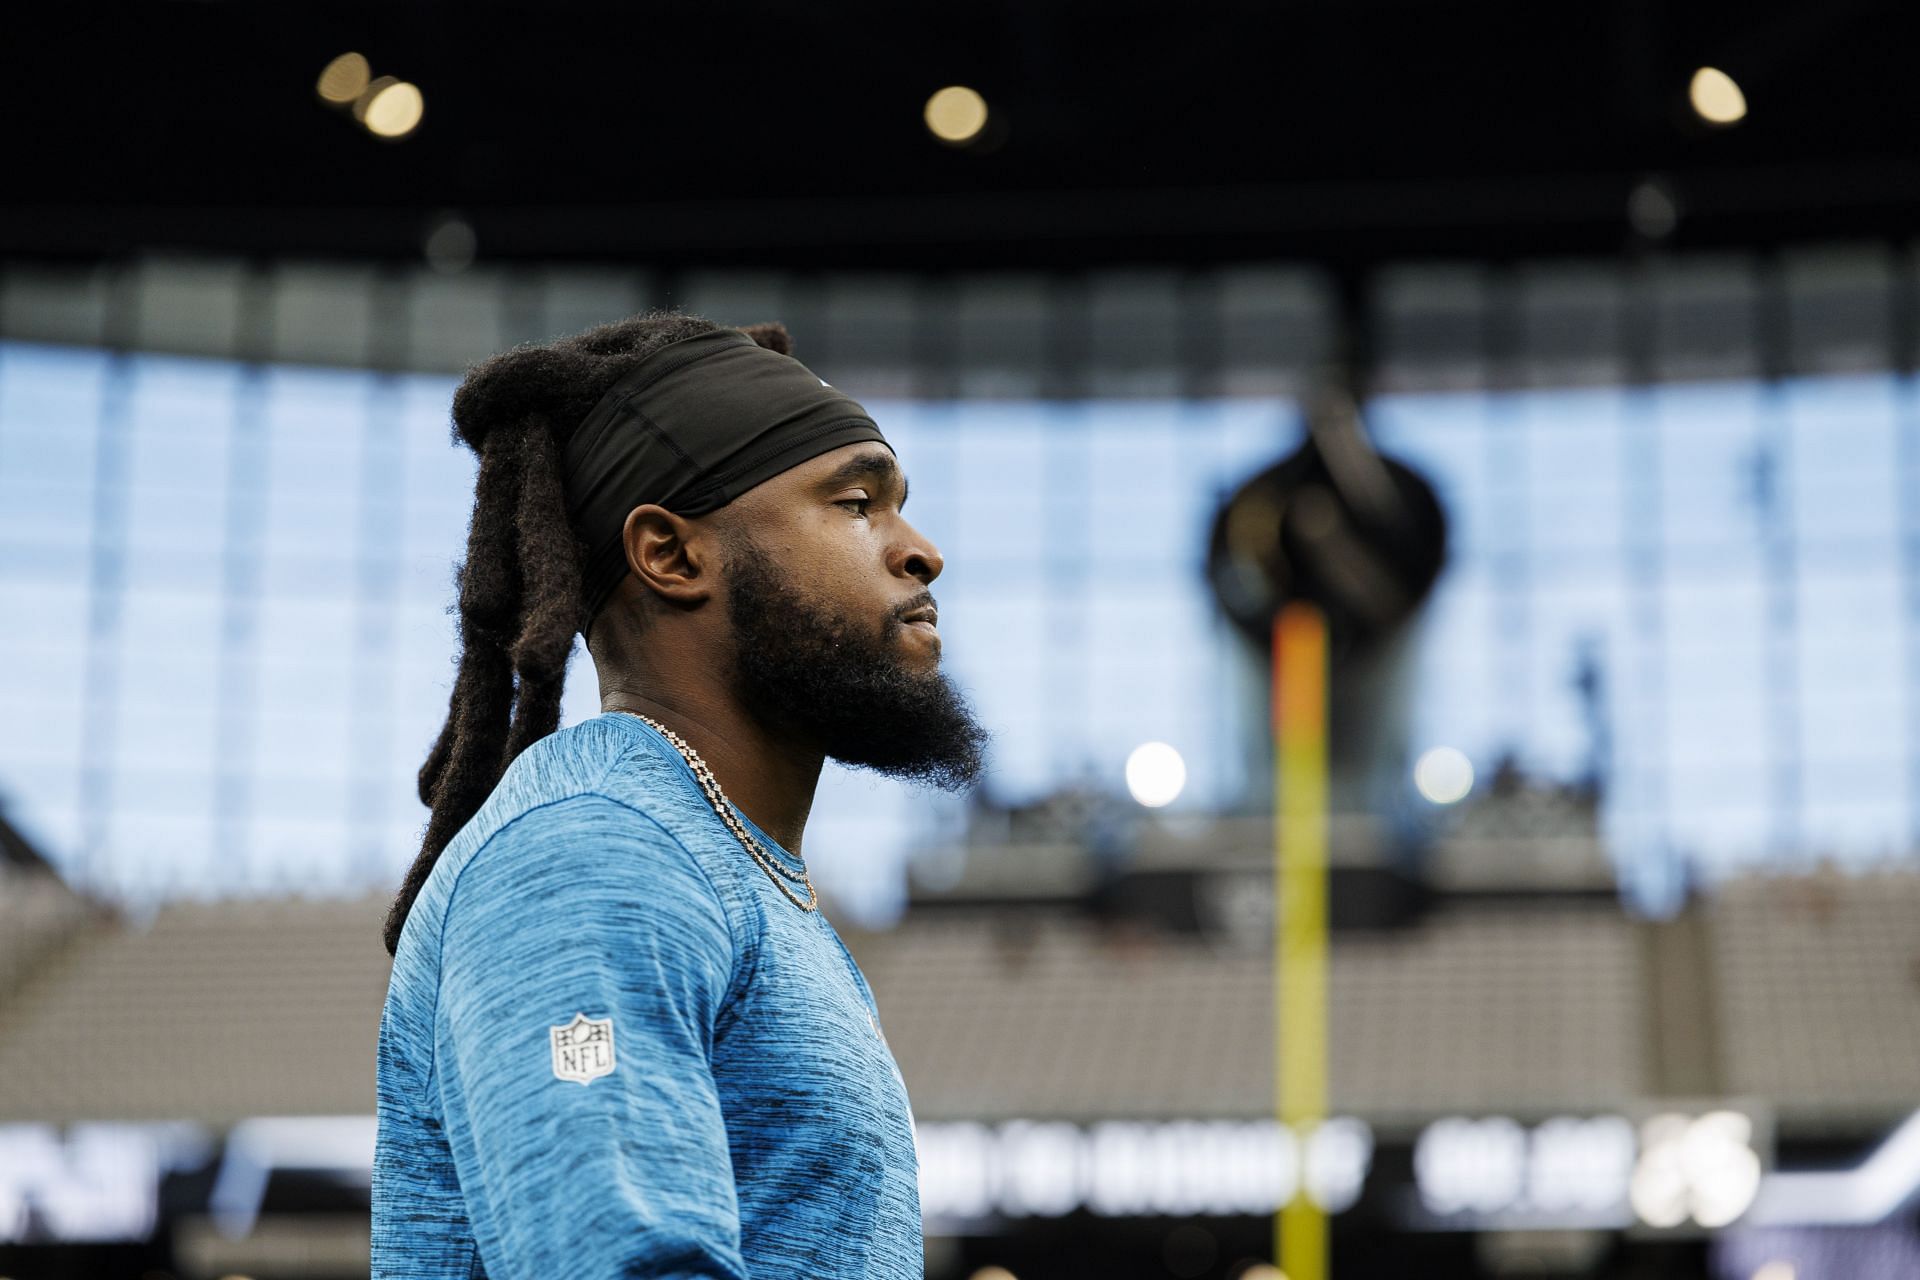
{"x":842,"y":684}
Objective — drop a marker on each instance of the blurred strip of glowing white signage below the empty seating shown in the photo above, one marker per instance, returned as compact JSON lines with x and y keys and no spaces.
{"x":1669,"y":1170}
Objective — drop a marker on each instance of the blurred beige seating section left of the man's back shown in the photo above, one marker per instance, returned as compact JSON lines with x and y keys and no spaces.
{"x":212,"y":1012}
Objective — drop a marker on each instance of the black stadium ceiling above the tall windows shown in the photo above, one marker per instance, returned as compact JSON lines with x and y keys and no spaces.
{"x":757,"y":133}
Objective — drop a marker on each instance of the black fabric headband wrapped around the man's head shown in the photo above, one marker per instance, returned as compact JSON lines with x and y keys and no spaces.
{"x":694,"y":427}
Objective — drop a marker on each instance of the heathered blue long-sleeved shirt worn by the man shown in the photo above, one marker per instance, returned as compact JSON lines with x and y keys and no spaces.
{"x":754,"y":1122}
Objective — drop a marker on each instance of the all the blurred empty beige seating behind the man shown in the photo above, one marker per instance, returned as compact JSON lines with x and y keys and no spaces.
{"x":220,"y":1012}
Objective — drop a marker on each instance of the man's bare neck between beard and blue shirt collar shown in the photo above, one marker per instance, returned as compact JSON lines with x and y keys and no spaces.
{"x":771,"y":780}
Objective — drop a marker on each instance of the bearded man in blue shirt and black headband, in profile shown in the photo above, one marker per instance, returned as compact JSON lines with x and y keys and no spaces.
{"x":619,"y":1037}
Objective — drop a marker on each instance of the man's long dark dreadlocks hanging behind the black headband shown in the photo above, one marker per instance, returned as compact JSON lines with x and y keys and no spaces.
{"x":519,"y":586}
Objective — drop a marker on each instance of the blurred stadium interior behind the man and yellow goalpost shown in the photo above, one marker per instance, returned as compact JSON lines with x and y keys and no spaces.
{"x":1623,"y":711}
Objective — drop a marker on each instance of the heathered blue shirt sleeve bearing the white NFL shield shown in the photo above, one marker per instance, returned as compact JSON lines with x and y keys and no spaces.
{"x":585,"y":962}
